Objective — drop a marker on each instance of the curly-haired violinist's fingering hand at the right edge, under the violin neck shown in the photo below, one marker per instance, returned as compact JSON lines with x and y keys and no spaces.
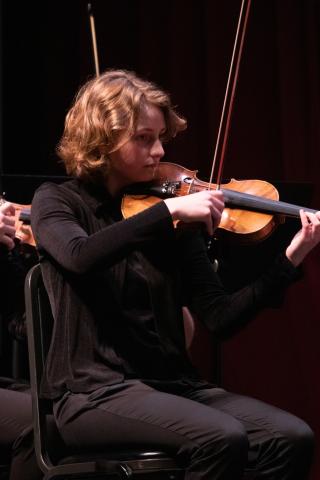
{"x":306,"y":239}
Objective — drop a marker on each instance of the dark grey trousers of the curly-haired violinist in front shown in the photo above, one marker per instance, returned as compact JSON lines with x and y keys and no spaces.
{"x":217,"y":434}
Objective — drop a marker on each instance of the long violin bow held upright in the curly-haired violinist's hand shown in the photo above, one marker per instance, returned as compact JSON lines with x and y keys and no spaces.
{"x":225,"y":120}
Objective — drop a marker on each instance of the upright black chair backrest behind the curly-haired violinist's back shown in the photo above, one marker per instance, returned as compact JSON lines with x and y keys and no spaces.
{"x":39,"y":330}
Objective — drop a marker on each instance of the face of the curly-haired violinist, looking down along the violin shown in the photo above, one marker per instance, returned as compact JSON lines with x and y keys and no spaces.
{"x":137,"y":160}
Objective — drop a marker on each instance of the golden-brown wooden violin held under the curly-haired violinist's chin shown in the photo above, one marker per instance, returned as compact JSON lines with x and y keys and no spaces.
{"x":252,"y":207}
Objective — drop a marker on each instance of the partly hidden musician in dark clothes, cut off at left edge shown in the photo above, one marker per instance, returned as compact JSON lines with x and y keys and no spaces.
{"x":16,"y":439}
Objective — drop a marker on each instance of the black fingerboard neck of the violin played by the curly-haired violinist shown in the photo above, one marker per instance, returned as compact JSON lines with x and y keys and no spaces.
{"x":255,"y":203}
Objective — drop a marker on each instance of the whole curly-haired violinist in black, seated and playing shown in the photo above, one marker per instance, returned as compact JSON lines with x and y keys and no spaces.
{"x":117,"y":287}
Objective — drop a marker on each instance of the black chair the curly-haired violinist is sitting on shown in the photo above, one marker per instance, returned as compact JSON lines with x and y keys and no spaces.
{"x":60,"y":461}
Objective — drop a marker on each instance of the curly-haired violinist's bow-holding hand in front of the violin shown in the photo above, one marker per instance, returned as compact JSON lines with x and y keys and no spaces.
{"x":205,"y":206}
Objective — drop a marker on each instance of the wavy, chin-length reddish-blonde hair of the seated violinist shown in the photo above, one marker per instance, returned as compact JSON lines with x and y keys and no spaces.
{"x":104,"y":116}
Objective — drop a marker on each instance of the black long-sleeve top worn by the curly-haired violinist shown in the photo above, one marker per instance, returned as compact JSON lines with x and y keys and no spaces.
{"x":117,"y":287}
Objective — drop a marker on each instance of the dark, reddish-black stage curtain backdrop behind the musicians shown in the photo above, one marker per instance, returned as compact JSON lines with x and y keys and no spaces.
{"x":185,"y":46}
